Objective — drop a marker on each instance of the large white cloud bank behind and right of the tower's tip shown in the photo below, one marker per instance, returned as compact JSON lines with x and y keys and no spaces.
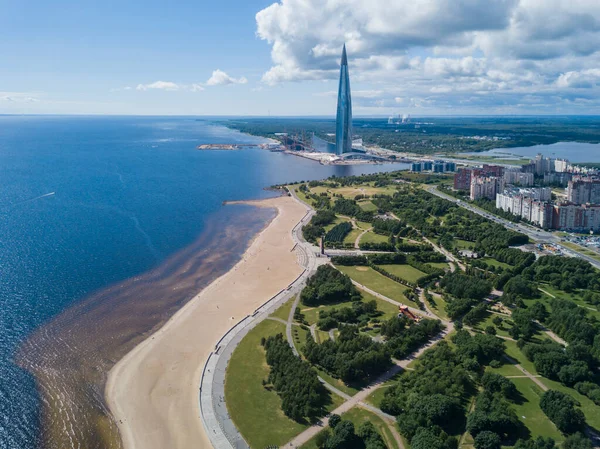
{"x":439,"y":53}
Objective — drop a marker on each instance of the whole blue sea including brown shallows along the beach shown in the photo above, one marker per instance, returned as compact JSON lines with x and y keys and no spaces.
{"x":96,"y":213}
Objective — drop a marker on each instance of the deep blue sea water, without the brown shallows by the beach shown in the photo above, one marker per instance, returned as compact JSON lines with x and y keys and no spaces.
{"x":89,"y":202}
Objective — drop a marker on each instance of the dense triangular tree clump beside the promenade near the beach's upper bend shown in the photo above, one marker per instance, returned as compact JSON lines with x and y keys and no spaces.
{"x":328,"y":286}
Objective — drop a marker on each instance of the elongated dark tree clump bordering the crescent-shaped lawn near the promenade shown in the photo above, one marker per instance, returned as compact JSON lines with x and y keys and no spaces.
{"x":295,"y":381}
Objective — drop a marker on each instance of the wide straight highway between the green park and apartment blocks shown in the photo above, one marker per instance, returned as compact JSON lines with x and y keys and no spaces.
{"x":535,"y":234}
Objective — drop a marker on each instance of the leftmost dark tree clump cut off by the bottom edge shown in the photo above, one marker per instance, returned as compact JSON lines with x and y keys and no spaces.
{"x":343,"y":435}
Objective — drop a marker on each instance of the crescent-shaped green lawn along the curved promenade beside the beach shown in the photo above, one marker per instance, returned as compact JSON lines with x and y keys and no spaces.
{"x":255,"y":410}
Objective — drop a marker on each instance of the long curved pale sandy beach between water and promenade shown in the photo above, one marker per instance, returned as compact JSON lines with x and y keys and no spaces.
{"x":153,"y":391}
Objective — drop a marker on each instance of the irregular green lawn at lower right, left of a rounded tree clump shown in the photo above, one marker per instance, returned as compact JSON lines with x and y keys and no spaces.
{"x":529,"y":412}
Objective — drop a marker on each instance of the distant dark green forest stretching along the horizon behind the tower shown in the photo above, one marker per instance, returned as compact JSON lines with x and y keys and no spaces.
{"x":436,"y":134}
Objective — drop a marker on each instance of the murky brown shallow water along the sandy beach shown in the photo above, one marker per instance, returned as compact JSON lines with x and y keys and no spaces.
{"x":71,"y":355}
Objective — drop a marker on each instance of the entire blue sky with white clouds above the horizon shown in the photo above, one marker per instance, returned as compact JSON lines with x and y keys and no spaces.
{"x":252,"y":57}
